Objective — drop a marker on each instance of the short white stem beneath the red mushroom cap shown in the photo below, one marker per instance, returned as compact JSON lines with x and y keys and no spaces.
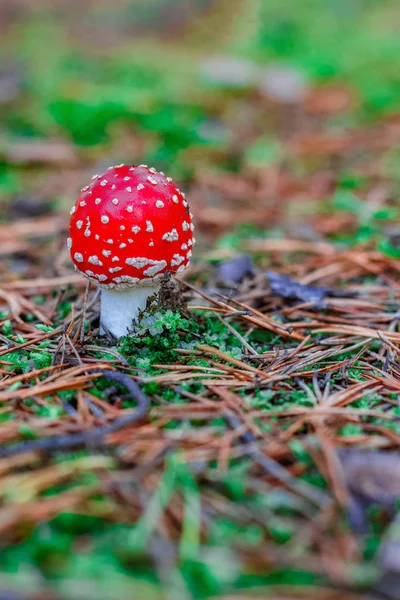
{"x":120,"y":308}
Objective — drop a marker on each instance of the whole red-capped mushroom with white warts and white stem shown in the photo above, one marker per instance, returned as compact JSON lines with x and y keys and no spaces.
{"x":129,"y":226}
